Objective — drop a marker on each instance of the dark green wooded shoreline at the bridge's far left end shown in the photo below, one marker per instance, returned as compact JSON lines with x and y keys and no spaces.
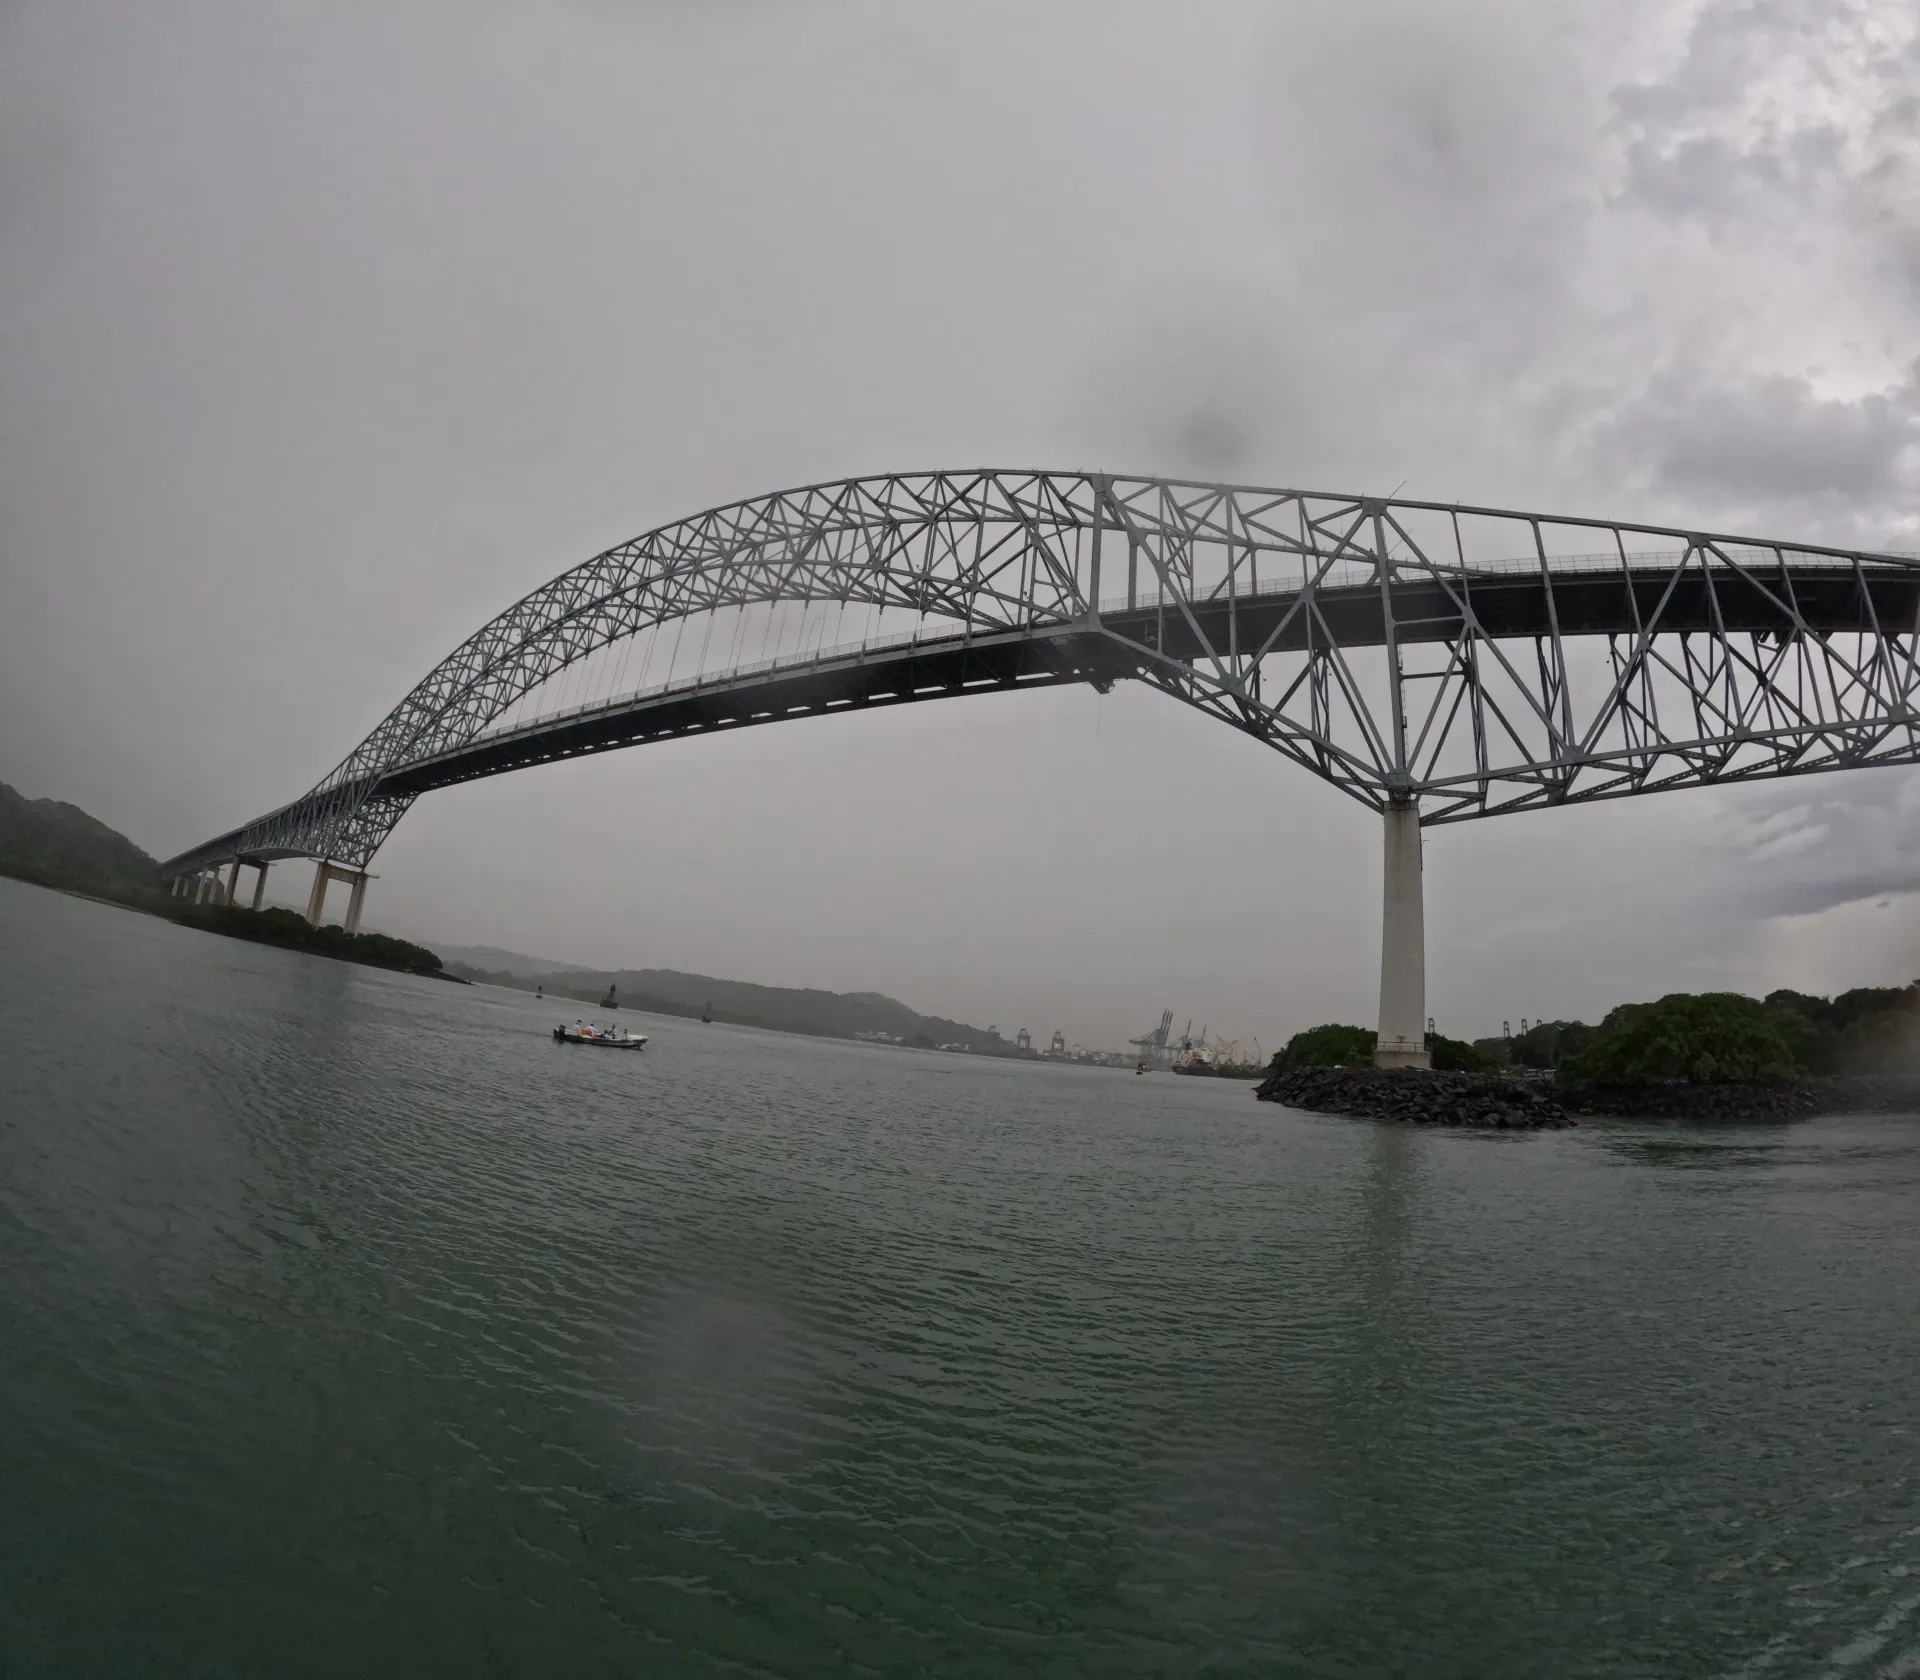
{"x":60,"y":846}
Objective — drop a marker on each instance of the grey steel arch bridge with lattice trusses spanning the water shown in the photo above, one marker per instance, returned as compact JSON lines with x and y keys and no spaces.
{"x":1433,"y":661}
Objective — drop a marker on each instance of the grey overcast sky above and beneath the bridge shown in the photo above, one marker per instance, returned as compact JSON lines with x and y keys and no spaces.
{"x":331,"y":329}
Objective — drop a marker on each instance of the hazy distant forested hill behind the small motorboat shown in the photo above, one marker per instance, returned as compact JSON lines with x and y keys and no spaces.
{"x":790,"y":1009}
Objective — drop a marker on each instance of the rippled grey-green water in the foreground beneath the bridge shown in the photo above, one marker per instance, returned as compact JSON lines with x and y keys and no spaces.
{"x":350,"y":1326}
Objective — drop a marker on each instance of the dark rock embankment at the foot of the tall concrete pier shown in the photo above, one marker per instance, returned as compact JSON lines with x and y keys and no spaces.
{"x":1535,"y":1103}
